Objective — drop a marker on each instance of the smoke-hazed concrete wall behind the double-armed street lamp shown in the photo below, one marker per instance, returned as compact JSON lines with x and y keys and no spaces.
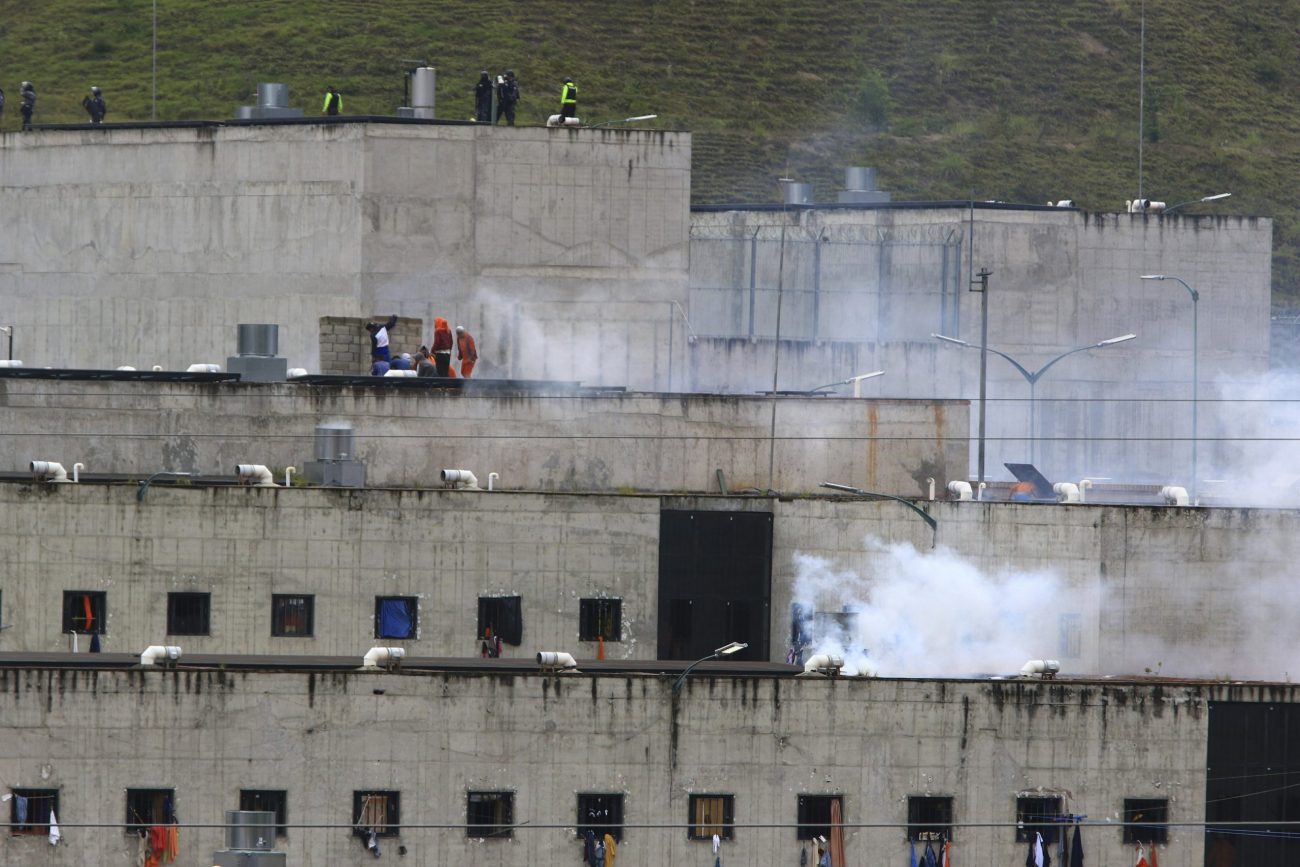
{"x":1061,"y":279}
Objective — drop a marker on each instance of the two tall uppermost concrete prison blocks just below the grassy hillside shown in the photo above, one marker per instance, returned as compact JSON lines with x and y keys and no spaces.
{"x":575,"y":255}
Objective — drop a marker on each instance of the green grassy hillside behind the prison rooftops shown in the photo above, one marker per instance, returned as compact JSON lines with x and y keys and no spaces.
{"x":1022,"y":101}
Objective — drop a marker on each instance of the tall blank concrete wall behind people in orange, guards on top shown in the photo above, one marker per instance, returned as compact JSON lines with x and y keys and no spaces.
{"x":560,"y":250}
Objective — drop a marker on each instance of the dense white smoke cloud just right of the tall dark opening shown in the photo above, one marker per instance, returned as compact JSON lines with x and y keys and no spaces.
{"x":928,"y":614}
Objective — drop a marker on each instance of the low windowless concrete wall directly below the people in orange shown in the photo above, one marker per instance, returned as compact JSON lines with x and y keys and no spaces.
{"x":536,"y":441}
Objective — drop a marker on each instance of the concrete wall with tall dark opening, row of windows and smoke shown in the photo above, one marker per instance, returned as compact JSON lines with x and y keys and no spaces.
{"x":1173,"y":591}
